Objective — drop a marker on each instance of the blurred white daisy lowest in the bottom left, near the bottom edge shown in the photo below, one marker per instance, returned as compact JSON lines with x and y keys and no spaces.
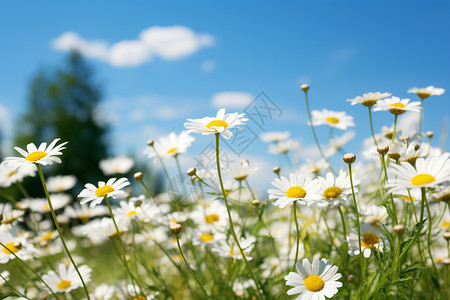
{"x":67,"y":278}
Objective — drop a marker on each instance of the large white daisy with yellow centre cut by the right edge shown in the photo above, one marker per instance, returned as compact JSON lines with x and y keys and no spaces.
{"x":429,"y":172}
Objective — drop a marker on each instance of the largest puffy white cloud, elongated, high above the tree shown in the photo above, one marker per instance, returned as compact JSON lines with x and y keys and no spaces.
{"x":168,"y":43}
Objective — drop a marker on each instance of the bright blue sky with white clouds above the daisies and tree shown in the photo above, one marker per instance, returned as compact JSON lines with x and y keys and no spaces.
{"x":341,"y":48}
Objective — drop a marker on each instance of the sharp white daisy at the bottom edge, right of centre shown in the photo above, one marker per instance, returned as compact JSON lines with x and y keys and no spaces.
{"x":314,"y":281}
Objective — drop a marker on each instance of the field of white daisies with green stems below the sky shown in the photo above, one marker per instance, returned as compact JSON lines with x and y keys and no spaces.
{"x":332,"y":228}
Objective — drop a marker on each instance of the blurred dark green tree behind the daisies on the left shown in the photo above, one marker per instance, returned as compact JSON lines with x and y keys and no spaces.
{"x":63,"y":103}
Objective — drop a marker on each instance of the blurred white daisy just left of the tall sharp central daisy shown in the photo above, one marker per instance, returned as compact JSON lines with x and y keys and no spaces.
{"x":171,"y":145}
